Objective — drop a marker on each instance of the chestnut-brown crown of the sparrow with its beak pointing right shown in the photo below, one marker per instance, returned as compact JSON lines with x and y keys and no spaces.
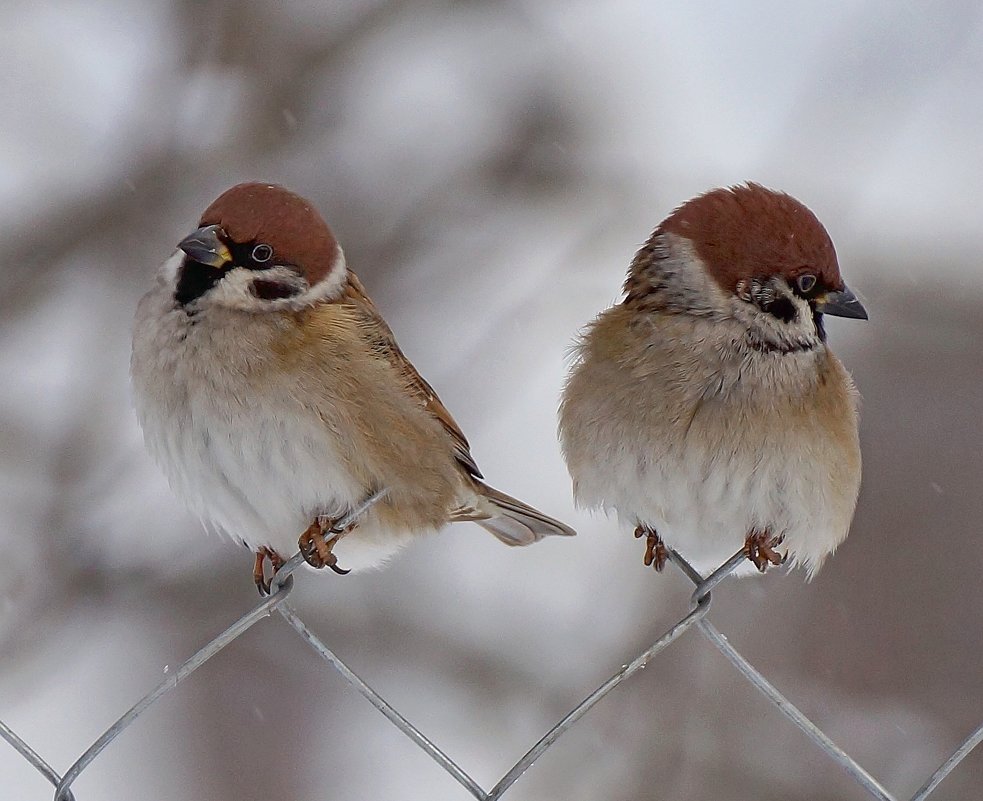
{"x":748,"y":231}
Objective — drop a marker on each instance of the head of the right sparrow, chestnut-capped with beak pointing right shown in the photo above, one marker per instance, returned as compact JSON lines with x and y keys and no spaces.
{"x":749,"y":253}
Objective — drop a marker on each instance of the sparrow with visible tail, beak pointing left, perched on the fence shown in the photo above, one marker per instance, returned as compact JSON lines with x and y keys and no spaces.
{"x":273,"y":395}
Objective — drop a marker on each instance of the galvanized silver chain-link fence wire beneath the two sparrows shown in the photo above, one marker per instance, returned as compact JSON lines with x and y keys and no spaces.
{"x":696,"y":617}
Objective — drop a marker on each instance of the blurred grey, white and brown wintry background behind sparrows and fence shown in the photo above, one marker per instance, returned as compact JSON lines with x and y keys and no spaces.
{"x":490,"y":168}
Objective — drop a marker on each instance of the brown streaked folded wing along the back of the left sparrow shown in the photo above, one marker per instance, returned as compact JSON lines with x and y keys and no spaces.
{"x":380,"y":338}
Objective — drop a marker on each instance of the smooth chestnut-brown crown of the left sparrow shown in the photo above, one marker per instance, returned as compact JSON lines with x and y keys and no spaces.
{"x":270,"y":214}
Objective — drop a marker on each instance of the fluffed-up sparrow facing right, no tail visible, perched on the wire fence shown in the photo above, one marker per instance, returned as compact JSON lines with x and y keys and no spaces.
{"x":706,"y":408}
